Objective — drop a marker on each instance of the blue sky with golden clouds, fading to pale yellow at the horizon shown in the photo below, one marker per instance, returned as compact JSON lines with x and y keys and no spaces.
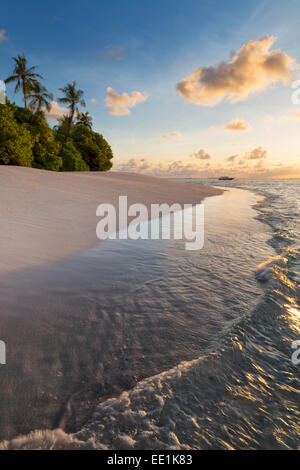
{"x":183,"y":89}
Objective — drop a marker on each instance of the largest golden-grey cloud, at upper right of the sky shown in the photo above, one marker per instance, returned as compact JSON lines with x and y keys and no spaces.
{"x":253,"y":68}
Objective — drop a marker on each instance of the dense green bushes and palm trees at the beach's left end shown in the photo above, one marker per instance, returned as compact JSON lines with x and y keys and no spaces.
{"x":26,"y":139}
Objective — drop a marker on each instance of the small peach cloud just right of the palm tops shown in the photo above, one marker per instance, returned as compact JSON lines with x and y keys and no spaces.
{"x":119,"y":105}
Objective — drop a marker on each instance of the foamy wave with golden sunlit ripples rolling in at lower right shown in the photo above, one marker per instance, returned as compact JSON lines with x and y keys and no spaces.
{"x":242,"y":395}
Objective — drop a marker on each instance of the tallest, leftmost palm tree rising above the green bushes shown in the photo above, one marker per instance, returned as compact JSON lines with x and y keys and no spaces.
{"x":25,"y":77}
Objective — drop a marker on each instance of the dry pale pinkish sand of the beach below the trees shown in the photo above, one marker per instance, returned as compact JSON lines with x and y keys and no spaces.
{"x":46,"y":216}
